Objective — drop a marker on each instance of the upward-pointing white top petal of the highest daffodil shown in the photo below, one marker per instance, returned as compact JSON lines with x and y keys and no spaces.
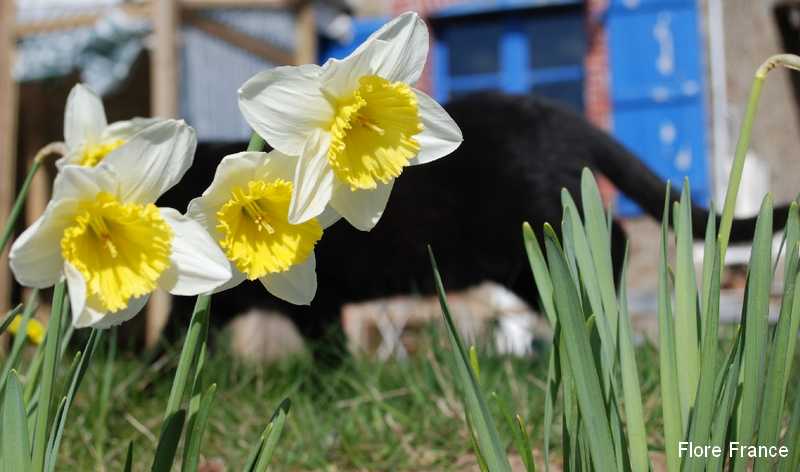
{"x":407,"y":51}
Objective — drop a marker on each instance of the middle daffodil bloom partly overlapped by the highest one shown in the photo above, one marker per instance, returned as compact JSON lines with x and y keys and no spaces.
{"x":246,"y":210}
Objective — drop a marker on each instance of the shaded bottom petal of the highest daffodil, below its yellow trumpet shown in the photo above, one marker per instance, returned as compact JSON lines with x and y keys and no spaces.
{"x":361,"y":208}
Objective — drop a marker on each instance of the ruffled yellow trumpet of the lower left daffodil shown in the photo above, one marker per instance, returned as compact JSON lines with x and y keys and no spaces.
{"x":135,"y":243}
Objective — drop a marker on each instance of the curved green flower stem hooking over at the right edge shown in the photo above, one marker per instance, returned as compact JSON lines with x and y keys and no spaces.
{"x":786,"y":60}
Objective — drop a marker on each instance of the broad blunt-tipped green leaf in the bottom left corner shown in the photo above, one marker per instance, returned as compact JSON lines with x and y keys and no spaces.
{"x":15,"y":448}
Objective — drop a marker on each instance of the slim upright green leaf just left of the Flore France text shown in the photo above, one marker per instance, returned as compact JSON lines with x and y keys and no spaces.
{"x":670,"y":395}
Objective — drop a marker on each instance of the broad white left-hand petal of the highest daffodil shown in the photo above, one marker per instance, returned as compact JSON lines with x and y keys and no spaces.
{"x":285,"y":105}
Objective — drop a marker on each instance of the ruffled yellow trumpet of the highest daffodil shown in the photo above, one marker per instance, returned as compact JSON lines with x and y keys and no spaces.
{"x":373,"y":133}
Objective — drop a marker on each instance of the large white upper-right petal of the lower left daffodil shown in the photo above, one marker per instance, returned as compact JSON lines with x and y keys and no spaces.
{"x":153,"y":161}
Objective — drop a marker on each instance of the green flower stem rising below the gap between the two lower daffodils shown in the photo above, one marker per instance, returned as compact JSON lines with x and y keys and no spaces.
{"x":195,"y":338}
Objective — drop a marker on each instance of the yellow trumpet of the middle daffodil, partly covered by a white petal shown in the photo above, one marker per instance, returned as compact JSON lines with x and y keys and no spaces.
{"x":254,"y":231}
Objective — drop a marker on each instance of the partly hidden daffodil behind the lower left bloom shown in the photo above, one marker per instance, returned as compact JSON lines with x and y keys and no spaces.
{"x":87,"y":134}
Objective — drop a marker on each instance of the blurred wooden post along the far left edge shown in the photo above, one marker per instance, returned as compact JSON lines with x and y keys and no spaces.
{"x":8,"y":136}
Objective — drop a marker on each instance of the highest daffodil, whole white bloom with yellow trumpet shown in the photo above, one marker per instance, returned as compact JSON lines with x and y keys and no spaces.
{"x":355,"y":123}
